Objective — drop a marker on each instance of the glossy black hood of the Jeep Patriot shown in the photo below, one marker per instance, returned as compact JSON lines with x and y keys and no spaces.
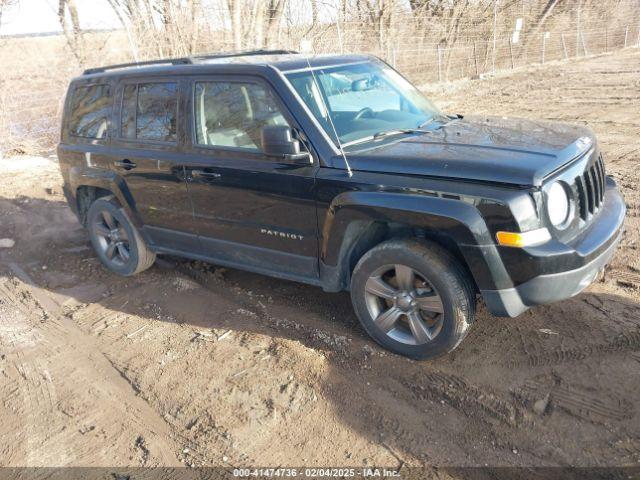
{"x":494,"y":149}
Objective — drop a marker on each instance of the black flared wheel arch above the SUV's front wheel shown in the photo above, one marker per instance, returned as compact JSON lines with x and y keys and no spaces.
{"x":358,"y":221}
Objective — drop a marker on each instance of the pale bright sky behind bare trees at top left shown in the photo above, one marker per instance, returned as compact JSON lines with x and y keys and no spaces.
{"x":40,"y":16}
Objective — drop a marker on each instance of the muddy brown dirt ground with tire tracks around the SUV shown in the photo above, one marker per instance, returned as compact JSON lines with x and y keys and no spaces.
{"x":189,"y":364}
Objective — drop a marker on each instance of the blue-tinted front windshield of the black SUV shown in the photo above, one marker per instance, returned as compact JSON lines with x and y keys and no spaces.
{"x":362,"y":100}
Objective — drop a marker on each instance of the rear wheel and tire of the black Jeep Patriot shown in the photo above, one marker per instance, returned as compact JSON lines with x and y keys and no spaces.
{"x":138,"y":257}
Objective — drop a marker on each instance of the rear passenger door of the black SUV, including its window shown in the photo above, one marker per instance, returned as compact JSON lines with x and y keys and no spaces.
{"x":147,"y":154}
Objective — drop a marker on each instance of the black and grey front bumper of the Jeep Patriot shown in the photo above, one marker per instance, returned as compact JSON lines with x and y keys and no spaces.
{"x":592,"y":250}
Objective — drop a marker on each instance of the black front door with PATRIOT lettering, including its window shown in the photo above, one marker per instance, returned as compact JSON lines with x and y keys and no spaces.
{"x":252,"y":210}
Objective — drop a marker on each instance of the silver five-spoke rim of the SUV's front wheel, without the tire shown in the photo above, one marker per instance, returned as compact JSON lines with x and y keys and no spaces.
{"x":404,"y":304}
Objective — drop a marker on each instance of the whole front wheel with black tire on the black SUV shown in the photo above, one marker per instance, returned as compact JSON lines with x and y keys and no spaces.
{"x":443,"y":286}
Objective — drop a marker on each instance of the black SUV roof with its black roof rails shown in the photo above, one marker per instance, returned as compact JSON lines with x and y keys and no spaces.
{"x":283,"y":60}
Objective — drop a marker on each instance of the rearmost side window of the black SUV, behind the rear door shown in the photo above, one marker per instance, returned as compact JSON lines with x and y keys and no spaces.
{"x":90,"y":111}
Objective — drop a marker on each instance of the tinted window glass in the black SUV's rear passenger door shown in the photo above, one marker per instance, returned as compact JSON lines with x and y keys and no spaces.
{"x":149,"y":111}
